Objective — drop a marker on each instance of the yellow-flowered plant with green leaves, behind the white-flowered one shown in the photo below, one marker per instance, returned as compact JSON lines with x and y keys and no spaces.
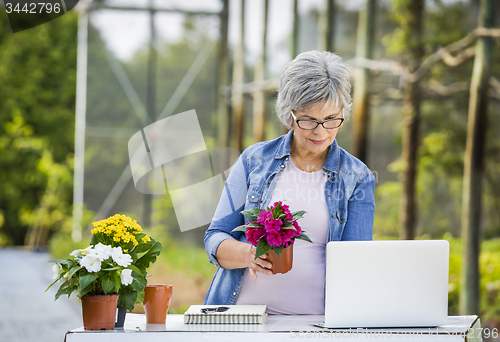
{"x":121,"y":231}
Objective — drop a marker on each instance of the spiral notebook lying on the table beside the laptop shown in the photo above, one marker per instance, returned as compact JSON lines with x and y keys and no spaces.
{"x":225,"y":314}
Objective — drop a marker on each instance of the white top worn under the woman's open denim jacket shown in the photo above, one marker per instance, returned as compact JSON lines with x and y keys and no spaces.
{"x":301,"y":290}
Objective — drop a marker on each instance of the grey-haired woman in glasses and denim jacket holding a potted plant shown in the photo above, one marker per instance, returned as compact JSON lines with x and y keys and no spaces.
{"x":305,"y":169}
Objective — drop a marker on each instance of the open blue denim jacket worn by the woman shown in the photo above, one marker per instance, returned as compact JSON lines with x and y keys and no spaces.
{"x":348,"y":192}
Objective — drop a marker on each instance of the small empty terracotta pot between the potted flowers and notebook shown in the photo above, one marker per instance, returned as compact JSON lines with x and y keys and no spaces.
{"x":157,"y":300}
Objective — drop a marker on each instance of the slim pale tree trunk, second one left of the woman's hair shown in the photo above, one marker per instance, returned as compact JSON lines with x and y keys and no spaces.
{"x":238,"y":79}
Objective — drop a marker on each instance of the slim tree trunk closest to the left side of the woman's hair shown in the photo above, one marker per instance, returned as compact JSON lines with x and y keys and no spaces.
{"x":259,"y":99}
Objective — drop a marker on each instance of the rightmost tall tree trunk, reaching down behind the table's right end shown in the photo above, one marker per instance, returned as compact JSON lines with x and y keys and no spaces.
{"x":474,"y":164}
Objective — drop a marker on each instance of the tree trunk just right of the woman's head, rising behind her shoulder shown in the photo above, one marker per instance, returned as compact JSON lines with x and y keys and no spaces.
{"x":361,"y":111}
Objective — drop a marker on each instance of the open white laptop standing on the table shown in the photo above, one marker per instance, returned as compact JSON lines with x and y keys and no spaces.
{"x":376,"y":284}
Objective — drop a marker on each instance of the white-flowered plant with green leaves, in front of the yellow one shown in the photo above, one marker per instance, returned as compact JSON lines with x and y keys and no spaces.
{"x":97,"y":270}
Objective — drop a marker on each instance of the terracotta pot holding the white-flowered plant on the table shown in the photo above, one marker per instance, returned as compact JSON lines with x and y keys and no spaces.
{"x":99,"y":312}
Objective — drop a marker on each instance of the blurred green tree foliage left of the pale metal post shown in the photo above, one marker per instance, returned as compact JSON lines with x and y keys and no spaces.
{"x":37,"y":100}
